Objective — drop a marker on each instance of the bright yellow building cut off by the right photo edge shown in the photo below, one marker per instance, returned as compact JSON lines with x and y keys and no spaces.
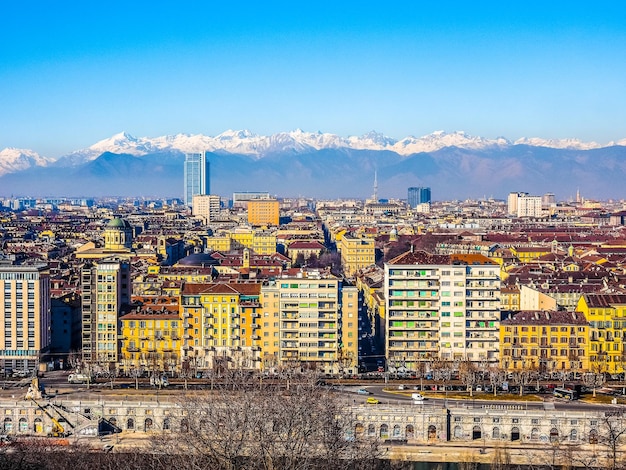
{"x":607,"y":321}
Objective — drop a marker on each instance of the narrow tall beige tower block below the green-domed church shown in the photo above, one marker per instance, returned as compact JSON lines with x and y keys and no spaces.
{"x":106,"y":288}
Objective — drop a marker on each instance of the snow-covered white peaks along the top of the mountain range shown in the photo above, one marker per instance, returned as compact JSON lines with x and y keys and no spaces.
{"x":244,"y":142}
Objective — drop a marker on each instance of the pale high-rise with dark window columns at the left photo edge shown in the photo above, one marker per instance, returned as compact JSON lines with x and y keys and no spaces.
{"x":25,"y":301}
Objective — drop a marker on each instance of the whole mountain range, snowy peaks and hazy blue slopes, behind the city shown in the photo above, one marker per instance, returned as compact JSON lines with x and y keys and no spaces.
{"x":323,"y":165}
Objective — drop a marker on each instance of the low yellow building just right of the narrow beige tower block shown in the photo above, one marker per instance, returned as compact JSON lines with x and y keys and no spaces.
{"x":150,"y":341}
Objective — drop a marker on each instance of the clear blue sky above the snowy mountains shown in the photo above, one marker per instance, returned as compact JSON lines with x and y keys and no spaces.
{"x":75,"y":72}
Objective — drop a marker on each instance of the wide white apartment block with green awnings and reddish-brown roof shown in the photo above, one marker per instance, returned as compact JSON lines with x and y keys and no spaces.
{"x":441,"y":307}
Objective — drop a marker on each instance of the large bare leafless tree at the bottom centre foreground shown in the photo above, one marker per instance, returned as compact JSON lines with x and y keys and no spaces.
{"x":257,"y":426}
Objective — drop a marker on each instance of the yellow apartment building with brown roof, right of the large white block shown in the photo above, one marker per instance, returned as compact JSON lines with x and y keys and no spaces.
{"x":545,"y":341}
